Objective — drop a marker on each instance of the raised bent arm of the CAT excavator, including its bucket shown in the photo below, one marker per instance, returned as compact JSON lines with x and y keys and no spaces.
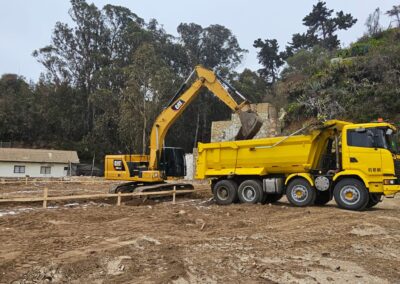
{"x":205,"y":78}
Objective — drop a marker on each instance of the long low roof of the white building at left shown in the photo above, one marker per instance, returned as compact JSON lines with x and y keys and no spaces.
{"x":38,"y":156}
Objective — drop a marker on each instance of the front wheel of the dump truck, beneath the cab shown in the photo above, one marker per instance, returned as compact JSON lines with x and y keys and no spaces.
{"x":351,"y":194}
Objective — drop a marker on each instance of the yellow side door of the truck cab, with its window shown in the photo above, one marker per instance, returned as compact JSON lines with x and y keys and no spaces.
{"x":363,"y":152}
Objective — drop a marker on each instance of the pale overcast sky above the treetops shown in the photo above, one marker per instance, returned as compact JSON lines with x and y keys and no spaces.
{"x":27,"y":25}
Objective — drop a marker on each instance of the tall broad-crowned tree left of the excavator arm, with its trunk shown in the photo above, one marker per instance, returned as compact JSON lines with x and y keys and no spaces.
{"x":90,"y":54}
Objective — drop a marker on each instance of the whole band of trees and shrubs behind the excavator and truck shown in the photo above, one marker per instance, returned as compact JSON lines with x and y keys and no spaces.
{"x":109,"y":74}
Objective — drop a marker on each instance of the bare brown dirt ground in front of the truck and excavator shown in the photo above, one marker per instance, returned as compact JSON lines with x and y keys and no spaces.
{"x":193,"y":241}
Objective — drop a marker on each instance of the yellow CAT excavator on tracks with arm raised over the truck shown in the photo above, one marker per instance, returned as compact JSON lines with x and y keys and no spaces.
{"x":150,"y":172}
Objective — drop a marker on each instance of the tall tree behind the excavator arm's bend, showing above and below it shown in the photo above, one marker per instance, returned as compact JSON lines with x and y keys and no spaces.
{"x":214,"y":47}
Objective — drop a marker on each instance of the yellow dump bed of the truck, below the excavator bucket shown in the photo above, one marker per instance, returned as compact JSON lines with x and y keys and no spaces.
{"x":277,"y":155}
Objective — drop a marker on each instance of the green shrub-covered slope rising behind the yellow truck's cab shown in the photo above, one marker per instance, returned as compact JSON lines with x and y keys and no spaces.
{"x":359,"y":83}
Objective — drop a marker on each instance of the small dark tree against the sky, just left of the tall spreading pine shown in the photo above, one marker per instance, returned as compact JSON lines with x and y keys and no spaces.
{"x":269,"y":58}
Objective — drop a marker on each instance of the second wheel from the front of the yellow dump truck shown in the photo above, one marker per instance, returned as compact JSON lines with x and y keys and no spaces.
{"x":300,"y":193}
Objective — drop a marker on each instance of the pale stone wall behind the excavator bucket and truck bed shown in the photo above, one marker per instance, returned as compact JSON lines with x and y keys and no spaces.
{"x":227,"y":130}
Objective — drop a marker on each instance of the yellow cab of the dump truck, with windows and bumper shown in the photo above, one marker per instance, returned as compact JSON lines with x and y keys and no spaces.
{"x":369,"y":152}
